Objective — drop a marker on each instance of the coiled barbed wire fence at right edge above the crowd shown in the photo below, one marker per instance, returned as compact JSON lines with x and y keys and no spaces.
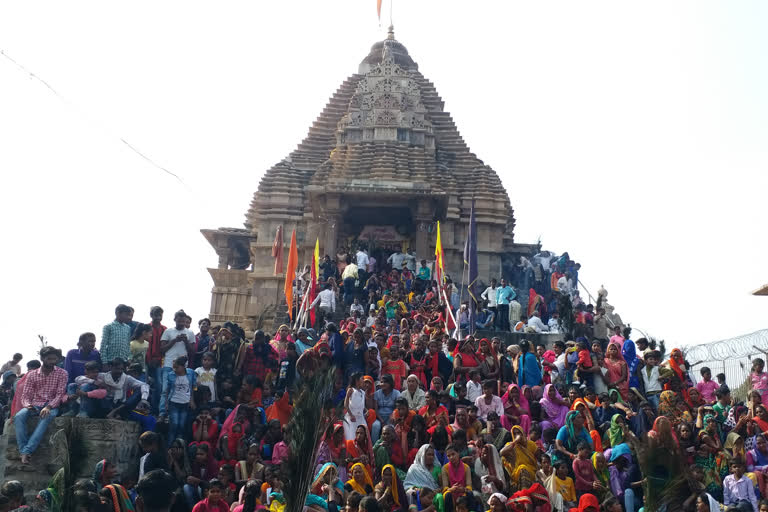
{"x":732,"y":357}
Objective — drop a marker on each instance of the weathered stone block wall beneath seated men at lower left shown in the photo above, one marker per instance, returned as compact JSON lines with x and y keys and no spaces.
{"x":89,"y":442}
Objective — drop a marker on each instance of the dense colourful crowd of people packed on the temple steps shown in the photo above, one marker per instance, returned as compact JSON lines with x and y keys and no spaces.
{"x":428,"y":422}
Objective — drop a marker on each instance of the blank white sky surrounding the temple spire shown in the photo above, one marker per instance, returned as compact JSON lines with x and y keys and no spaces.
{"x":632,"y":135}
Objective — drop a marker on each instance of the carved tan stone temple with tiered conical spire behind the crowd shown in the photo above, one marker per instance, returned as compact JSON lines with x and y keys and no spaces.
{"x":381,"y":165}
